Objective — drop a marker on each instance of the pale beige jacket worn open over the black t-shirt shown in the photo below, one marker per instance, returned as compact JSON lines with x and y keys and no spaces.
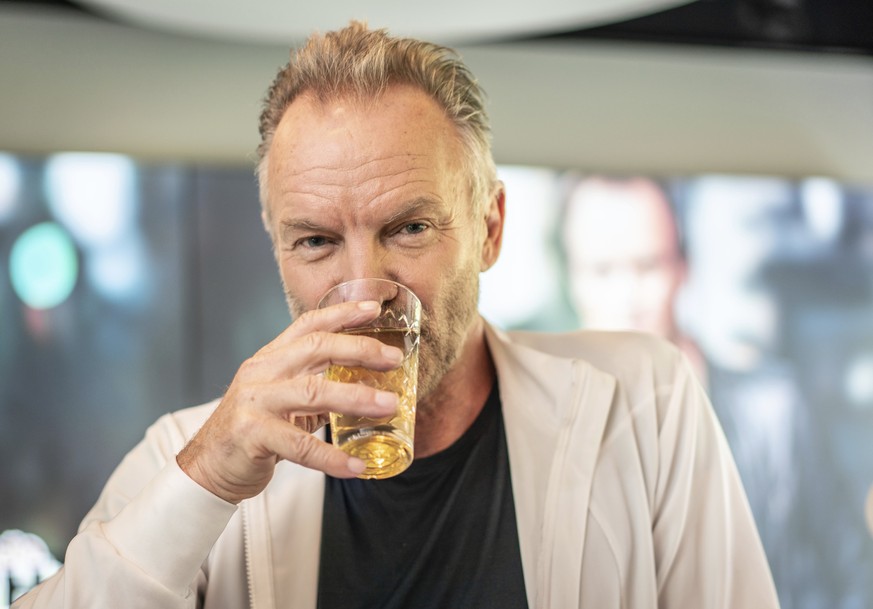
{"x":626,"y":496}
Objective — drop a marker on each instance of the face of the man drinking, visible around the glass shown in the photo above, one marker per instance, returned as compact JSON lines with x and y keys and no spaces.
{"x":374,"y":189}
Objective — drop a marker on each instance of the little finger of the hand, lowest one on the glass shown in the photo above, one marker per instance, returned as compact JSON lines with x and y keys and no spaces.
{"x":307,"y":450}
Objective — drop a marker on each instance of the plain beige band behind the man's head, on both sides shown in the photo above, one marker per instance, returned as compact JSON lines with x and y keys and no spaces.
{"x":74,"y":82}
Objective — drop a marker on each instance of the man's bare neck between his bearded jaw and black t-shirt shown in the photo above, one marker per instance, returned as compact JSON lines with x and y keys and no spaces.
{"x":443,"y":416}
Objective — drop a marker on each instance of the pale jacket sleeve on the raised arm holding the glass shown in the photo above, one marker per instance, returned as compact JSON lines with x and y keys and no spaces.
{"x":144,"y":542}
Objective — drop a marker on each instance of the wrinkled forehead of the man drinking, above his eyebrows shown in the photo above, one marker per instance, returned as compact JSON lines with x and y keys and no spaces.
{"x":400,"y":147}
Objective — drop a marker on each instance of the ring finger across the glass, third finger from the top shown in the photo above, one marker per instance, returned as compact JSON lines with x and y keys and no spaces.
{"x":315,"y":395}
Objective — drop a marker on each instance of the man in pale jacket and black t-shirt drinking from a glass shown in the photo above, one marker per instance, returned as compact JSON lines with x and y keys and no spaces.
{"x":572,"y":471}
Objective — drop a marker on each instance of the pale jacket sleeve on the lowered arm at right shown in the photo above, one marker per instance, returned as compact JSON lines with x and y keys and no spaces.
{"x":708,"y":552}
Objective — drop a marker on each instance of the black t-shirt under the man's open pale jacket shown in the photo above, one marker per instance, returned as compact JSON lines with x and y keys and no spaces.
{"x":441,"y":534}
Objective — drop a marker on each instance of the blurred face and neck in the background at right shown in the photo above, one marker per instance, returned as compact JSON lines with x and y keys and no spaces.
{"x":626,"y":265}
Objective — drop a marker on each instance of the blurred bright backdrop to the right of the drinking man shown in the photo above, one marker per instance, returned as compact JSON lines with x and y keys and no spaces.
{"x":766,"y":284}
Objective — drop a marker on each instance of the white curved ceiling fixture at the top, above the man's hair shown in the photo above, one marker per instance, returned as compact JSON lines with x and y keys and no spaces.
{"x":446,"y":21}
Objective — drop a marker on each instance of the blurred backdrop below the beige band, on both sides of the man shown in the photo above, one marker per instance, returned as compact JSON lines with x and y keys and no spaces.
{"x":128,"y":290}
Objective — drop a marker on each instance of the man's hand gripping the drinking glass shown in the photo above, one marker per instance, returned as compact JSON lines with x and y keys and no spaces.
{"x":278,"y":398}
